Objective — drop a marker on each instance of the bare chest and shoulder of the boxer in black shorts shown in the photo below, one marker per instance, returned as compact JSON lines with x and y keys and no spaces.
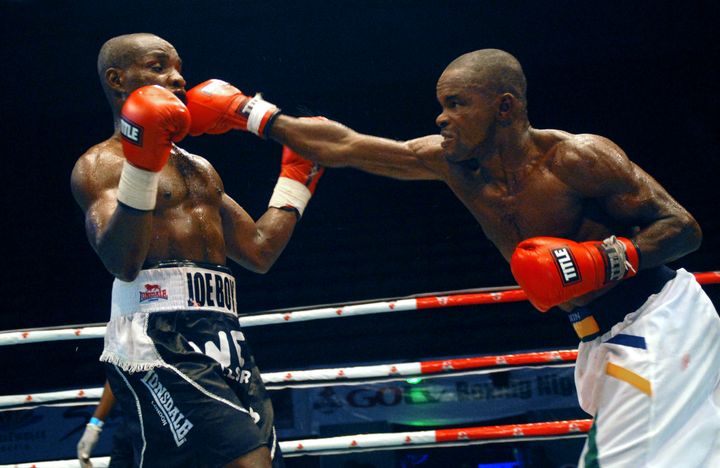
{"x":186,"y":223}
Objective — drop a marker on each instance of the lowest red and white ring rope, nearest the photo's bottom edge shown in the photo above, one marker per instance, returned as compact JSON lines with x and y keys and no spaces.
{"x":405,"y":440}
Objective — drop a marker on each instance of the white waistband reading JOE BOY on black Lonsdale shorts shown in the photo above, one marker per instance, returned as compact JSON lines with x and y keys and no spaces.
{"x":172,"y":289}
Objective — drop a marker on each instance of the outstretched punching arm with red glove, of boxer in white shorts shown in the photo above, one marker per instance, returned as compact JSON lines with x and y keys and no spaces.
{"x":217,"y":107}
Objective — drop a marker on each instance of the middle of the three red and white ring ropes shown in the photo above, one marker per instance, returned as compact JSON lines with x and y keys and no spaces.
{"x":346,"y":375}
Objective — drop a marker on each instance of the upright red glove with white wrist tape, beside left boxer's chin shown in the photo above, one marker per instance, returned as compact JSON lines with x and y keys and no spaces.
{"x":150,"y":120}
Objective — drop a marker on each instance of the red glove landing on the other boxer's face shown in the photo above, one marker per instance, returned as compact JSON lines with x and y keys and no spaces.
{"x":218,"y":107}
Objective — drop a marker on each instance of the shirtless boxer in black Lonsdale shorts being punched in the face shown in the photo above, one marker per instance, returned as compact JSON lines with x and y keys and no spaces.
{"x":162,"y":224}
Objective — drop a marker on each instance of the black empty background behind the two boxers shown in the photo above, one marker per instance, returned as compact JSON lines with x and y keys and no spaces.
{"x":642,"y":73}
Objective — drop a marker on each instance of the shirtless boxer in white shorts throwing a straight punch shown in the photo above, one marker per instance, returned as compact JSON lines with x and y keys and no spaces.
{"x":583,"y":227}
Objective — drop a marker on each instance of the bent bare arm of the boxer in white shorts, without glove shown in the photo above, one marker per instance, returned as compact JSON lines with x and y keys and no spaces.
{"x":599,"y":170}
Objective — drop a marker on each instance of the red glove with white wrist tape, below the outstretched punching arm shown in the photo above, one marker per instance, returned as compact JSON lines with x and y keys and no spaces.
{"x":297,"y":182}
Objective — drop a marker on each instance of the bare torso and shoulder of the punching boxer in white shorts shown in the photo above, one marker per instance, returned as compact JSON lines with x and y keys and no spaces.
{"x":579,"y":187}
